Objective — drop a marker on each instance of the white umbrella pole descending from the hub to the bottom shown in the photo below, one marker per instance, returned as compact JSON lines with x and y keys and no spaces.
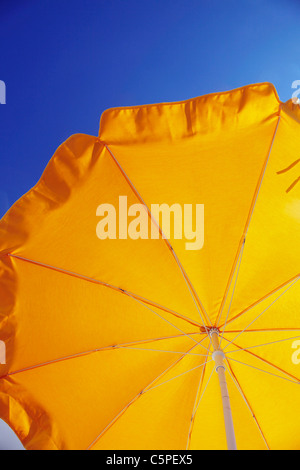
{"x":219,"y":357}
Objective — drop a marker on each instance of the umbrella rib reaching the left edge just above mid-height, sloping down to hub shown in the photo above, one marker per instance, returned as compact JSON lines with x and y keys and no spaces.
{"x":105,"y":284}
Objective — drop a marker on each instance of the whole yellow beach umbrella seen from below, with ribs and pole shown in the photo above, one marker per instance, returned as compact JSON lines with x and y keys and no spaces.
{"x":117,"y":339}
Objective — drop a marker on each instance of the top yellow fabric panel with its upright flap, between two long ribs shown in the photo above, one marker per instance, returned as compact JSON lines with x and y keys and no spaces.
{"x":211,"y":151}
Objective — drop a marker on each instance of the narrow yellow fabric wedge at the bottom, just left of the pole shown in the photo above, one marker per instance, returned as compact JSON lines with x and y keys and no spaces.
{"x":169,"y":406}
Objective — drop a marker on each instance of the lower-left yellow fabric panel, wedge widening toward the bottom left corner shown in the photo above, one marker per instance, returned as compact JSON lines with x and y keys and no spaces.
{"x":83,"y":395}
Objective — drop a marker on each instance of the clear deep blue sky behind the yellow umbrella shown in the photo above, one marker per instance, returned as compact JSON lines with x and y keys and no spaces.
{"x":64,"y":62}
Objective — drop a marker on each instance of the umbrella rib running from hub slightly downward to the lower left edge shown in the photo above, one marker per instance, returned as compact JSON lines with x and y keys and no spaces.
{"x":86,"y":353}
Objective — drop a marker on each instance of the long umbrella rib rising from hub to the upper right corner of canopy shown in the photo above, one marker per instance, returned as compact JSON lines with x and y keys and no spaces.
{"x":249,"y":218}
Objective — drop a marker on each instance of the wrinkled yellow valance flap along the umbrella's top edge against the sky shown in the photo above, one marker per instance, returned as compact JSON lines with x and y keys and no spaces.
{"x":204,"y":115}
